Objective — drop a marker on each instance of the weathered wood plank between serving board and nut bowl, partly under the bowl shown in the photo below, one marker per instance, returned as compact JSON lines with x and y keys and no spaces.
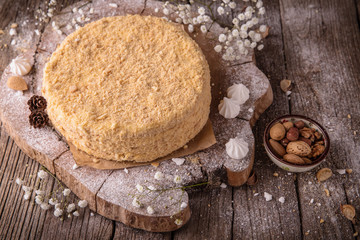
{"x":254,"y":218}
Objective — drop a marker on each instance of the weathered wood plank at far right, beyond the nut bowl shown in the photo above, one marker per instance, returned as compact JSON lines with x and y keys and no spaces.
{"x":320,"y":38}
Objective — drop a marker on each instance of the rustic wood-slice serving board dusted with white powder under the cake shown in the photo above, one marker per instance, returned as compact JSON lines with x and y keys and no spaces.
{"x":107,"y":191}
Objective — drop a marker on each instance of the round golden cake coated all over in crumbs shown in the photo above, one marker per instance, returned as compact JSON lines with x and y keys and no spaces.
{"x":128,"y":88}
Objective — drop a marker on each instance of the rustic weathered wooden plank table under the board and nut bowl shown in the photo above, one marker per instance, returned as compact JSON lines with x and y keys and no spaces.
{"x":314,"y":43}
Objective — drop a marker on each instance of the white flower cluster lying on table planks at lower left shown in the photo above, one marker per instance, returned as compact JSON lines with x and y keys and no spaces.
{"x":45,"y":204}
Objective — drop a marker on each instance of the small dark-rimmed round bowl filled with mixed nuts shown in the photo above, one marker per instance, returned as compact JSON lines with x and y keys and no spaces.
{"x":296,"y":143}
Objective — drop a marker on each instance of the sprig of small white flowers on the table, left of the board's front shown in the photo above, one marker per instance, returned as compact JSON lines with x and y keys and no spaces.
{"x":58,"y":198}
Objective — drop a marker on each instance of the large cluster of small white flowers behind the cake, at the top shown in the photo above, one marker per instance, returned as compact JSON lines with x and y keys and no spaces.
{"x":236,"y":40}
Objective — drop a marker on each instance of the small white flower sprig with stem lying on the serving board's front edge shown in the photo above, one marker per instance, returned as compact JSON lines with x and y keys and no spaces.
{"x":147,"y":189}
